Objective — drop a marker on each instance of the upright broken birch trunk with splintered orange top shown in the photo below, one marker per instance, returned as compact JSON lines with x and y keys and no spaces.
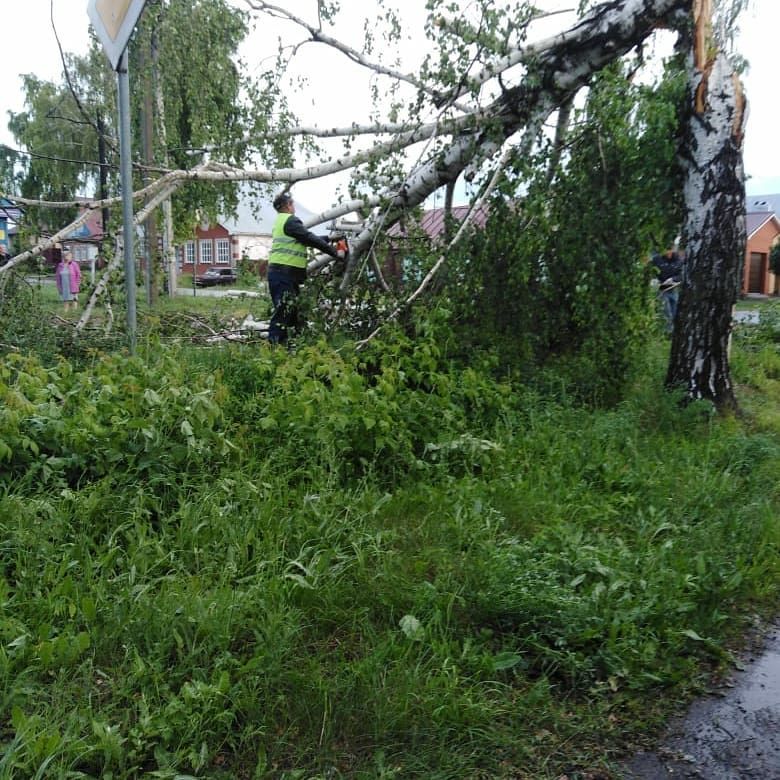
{"x":714,"y":234}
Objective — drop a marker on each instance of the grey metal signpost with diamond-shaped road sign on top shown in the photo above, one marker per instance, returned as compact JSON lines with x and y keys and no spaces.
{"x":114,"y":22}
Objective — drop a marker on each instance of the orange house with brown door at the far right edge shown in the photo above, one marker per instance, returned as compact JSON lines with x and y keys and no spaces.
{"x":763,"y":231}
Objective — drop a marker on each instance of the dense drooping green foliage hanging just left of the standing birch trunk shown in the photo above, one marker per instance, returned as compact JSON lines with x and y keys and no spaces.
{"x":558,"y":272}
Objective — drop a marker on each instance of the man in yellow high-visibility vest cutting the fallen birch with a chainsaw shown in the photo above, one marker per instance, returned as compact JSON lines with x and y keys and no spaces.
{"x":287,"y":267}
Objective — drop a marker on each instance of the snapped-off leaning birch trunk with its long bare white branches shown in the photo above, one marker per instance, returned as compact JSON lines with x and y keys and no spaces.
{"x":554,"y":70}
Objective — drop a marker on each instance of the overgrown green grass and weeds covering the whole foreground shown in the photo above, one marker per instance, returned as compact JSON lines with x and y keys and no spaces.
{"x":242,"y":562}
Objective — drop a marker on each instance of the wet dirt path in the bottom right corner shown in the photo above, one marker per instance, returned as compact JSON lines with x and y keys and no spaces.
{"x":731,"y":736}
